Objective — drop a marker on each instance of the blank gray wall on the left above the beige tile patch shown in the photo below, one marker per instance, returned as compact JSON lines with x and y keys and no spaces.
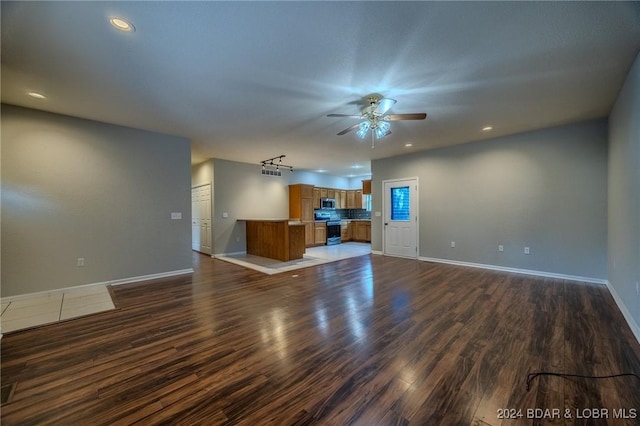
{"x":77,"y":188}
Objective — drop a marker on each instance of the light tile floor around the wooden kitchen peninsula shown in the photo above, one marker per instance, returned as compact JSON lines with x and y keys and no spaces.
{"x":313,"y":256}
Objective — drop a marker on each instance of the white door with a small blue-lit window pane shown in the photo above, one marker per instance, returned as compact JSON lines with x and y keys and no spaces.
{"x":400,"y":231}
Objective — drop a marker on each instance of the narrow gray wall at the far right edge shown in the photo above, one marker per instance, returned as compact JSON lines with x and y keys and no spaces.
{"x":624,"y":195}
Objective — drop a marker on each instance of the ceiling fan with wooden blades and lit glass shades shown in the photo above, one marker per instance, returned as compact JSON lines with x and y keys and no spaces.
{"x":375,"y":118}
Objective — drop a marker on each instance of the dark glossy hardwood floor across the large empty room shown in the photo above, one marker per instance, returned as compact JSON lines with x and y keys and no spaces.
{"x":370,"y":340}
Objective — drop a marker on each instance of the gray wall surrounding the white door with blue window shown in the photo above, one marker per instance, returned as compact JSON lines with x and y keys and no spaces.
{"x":545,"y":189}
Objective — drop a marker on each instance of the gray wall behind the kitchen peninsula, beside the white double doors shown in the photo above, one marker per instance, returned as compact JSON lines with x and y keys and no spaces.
{"x":241,"y":191}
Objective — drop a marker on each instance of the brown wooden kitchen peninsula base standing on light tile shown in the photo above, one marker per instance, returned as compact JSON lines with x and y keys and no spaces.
{"x":280,"y":239}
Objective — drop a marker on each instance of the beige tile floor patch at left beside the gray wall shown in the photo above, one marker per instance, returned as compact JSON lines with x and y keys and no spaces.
{"x":53,"y":307}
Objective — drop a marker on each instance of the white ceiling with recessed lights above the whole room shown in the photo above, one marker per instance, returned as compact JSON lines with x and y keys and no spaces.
{"x":246,"y":81}
